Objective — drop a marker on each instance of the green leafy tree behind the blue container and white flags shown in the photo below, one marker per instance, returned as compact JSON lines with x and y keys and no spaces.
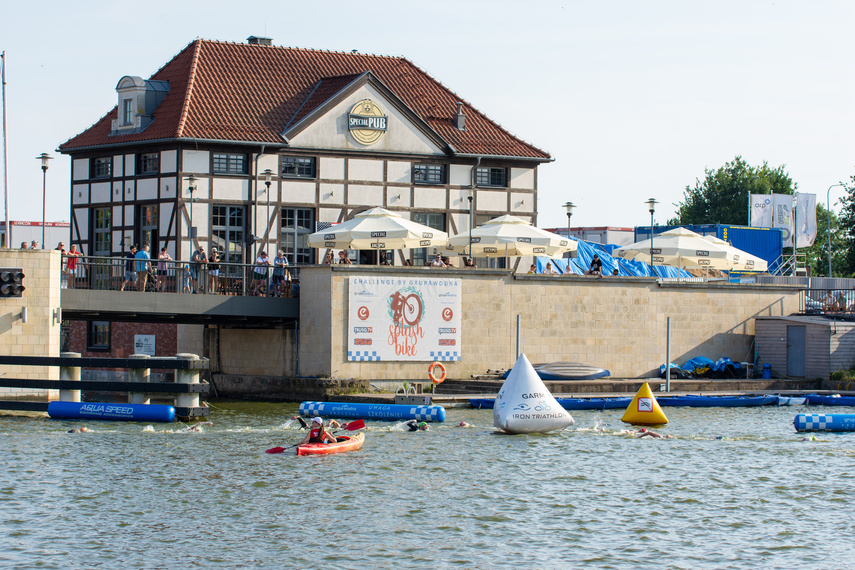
{"x":722,"y":197}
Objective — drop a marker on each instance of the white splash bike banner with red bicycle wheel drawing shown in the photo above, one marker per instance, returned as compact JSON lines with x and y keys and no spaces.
{"x":403,"y":318}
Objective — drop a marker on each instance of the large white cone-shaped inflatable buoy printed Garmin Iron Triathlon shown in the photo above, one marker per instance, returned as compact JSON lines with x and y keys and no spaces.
{"x":524,"y":405}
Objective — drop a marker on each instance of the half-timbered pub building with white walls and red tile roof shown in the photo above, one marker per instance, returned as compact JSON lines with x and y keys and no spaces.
{"x":245,"y":147}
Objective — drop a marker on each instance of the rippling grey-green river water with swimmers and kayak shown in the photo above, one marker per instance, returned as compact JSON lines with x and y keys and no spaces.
{"x":121,"y":496}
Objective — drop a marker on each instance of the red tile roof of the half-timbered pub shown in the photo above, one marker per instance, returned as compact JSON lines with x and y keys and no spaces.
{"x":249,"y":93}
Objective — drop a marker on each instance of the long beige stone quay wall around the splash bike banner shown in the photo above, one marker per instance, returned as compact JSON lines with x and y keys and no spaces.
{"x":618,"y":323}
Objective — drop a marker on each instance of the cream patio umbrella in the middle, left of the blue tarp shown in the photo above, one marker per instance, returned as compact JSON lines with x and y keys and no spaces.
{"x":509,"y":236}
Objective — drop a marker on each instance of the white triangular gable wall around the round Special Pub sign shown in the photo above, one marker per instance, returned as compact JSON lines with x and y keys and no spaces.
{"x":330,"y":131}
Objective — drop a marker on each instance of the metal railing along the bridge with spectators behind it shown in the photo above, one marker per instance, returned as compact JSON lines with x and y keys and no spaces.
{"x":180,"y":277}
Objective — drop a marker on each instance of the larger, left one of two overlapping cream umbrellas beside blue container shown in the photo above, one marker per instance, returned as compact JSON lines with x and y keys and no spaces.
{"x":679,"y":248}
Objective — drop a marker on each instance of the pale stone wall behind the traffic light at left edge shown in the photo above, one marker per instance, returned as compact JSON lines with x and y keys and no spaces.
{"x":40,"y":335}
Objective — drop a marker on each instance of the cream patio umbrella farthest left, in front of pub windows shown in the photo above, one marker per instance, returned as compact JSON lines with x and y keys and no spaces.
{"x":377,"y":229}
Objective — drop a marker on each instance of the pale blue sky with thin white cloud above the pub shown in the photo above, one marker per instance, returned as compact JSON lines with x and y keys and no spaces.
{"x":633,"y":100}
